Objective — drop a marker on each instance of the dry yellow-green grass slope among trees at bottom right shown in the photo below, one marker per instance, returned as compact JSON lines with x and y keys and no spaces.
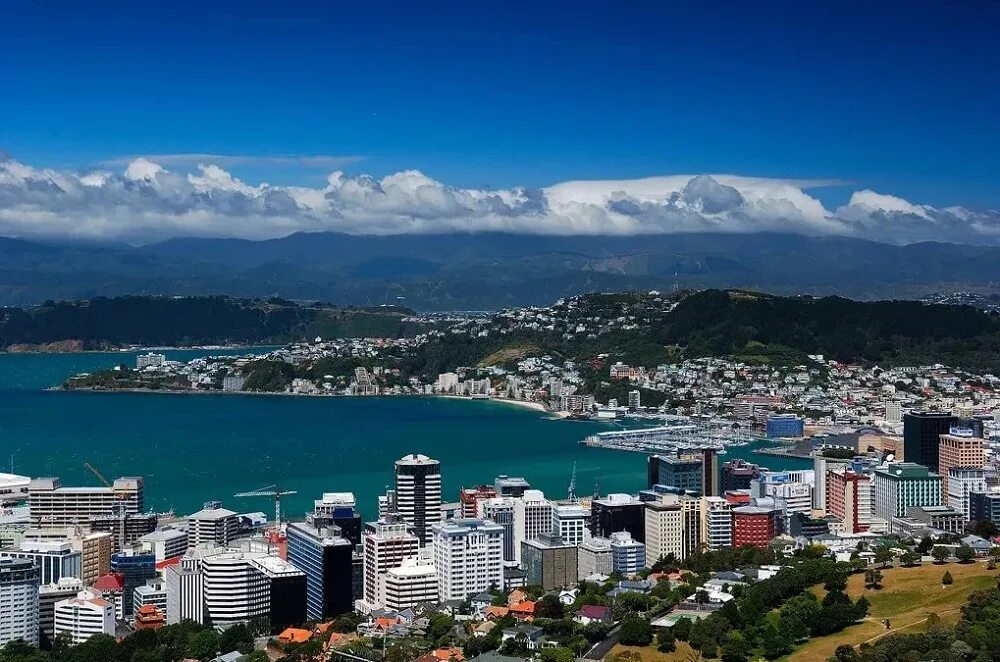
{"x":907,"y":597}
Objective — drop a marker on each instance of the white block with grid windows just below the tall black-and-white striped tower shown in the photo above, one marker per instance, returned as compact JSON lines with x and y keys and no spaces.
{"x":468,"y":556}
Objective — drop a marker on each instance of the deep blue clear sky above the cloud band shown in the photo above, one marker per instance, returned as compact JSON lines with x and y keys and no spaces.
{"x":498,"y":94}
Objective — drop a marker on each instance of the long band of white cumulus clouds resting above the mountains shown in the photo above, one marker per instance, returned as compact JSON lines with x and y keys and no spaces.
{"x":148,"y":199}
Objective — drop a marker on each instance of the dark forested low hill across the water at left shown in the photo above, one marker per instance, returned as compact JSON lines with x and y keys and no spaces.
{"x":148,"y":320}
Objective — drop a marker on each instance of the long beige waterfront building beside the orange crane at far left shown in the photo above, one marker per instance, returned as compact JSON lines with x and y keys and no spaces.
{"x":53,"y":506}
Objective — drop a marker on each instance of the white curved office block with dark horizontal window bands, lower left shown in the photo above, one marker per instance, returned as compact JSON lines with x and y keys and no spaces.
{"x":234,"y":590}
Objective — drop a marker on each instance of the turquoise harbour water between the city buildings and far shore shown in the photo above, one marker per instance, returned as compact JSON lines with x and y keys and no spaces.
{"x":192,"y":448}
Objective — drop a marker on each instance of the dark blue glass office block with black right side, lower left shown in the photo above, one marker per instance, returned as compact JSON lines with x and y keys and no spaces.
{"x":317,"y":548}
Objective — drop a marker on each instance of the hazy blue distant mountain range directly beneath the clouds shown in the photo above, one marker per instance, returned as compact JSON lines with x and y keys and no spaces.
{"x":488,"y":270}
